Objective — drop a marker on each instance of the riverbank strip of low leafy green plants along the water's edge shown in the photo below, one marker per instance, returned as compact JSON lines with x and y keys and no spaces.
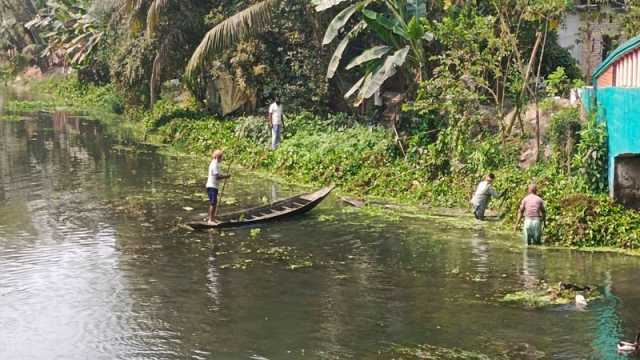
{"x":364,"y":160}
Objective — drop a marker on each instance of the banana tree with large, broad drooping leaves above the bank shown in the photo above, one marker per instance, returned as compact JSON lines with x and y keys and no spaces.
{"x":398,"y":26}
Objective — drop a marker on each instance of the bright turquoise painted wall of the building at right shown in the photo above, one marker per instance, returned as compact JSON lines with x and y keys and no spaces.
{"x":620,"y":108}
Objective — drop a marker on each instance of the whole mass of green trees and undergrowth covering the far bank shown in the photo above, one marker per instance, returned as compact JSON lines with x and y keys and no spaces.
{"x":458,"y":80}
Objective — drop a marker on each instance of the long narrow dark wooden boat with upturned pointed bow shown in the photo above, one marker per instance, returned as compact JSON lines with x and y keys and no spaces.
{"x":280,"y":209}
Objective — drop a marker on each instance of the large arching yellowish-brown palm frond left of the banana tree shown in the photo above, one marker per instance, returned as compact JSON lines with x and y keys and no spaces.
{"x":228,"y":32}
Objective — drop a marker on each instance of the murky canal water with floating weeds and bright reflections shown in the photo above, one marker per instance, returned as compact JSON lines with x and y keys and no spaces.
{"x":94,"y":264}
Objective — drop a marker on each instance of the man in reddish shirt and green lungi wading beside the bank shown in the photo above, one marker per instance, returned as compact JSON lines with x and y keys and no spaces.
{"x":532,"y":207}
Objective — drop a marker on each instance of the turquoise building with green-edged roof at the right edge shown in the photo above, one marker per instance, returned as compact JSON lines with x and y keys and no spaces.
{"x":616,"y":87}
